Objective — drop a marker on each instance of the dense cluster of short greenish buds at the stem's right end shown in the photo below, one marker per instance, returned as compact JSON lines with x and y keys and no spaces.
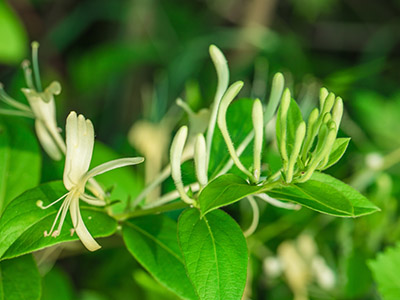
{"x":307,"y":148}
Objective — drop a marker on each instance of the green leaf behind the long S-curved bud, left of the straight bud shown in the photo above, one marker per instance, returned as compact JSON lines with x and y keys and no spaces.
{"x":238,"y":130}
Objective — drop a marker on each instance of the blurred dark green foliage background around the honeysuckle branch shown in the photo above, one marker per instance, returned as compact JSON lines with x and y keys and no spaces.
{"x":128,"y":60}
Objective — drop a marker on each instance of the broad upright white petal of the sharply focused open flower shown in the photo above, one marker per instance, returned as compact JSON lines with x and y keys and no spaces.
{"x":80,"y":141}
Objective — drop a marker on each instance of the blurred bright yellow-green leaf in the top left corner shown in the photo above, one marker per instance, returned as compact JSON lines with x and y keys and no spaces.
{"x":12,"y":36}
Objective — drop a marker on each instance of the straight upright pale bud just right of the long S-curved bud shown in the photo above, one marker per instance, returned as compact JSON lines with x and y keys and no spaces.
{"x":258,"y":125}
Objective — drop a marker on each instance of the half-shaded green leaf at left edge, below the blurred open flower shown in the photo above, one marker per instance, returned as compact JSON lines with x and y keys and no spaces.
{"x":20,"y":160}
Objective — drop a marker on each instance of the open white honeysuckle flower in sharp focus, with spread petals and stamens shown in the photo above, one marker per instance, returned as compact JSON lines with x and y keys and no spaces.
{"x":79,"y":148}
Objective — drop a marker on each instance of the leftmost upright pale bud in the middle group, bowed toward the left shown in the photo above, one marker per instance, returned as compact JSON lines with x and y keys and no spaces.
{"x":177,"y":146}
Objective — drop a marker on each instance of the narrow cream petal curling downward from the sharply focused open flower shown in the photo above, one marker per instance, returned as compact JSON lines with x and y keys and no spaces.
{"x":84,"y":235}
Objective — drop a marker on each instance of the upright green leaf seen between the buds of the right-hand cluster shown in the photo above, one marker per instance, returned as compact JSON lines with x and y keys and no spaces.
{"x":294,"y":118}
